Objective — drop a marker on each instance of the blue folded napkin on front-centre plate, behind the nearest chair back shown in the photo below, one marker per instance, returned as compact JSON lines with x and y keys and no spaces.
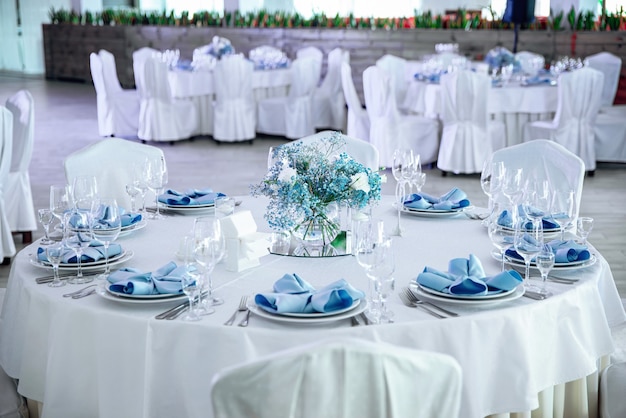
{"x":292,"y":294}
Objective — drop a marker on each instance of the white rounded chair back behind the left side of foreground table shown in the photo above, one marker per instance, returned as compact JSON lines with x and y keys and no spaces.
{"x":113,"y":163}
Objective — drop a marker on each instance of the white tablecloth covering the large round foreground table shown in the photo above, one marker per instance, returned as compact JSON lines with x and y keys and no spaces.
{"x":97,"y":357}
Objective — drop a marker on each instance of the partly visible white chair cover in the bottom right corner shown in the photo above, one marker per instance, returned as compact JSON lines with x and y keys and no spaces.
{"x":612,"y":390}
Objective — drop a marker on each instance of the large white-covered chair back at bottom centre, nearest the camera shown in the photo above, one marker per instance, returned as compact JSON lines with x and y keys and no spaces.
{"x":343,"y":378}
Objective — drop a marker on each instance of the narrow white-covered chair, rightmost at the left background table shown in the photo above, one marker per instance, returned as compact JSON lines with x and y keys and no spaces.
{"x":329,"y":104}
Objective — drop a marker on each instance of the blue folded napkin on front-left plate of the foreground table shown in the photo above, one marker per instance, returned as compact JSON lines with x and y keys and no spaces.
{"x":165,"y":280}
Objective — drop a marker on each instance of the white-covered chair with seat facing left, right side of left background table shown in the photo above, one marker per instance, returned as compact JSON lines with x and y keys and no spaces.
{"x":291,"y":116}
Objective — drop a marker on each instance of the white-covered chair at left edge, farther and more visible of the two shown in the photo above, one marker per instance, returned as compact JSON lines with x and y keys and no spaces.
{"x":20,"y":209}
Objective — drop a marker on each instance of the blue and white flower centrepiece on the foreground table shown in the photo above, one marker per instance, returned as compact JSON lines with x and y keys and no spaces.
{"x":308,"y":179}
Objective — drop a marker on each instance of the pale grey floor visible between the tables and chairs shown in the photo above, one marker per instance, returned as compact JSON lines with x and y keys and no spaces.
{"x":65,"y":115}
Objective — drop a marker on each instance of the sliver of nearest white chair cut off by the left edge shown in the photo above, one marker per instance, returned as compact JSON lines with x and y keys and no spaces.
{"x":7,"y":246}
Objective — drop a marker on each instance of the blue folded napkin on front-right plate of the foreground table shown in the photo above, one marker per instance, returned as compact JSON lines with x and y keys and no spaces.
{"x":466,"y":277}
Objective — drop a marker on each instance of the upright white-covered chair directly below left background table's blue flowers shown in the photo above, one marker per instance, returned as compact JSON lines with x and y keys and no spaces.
{"x":234,"y":116}
